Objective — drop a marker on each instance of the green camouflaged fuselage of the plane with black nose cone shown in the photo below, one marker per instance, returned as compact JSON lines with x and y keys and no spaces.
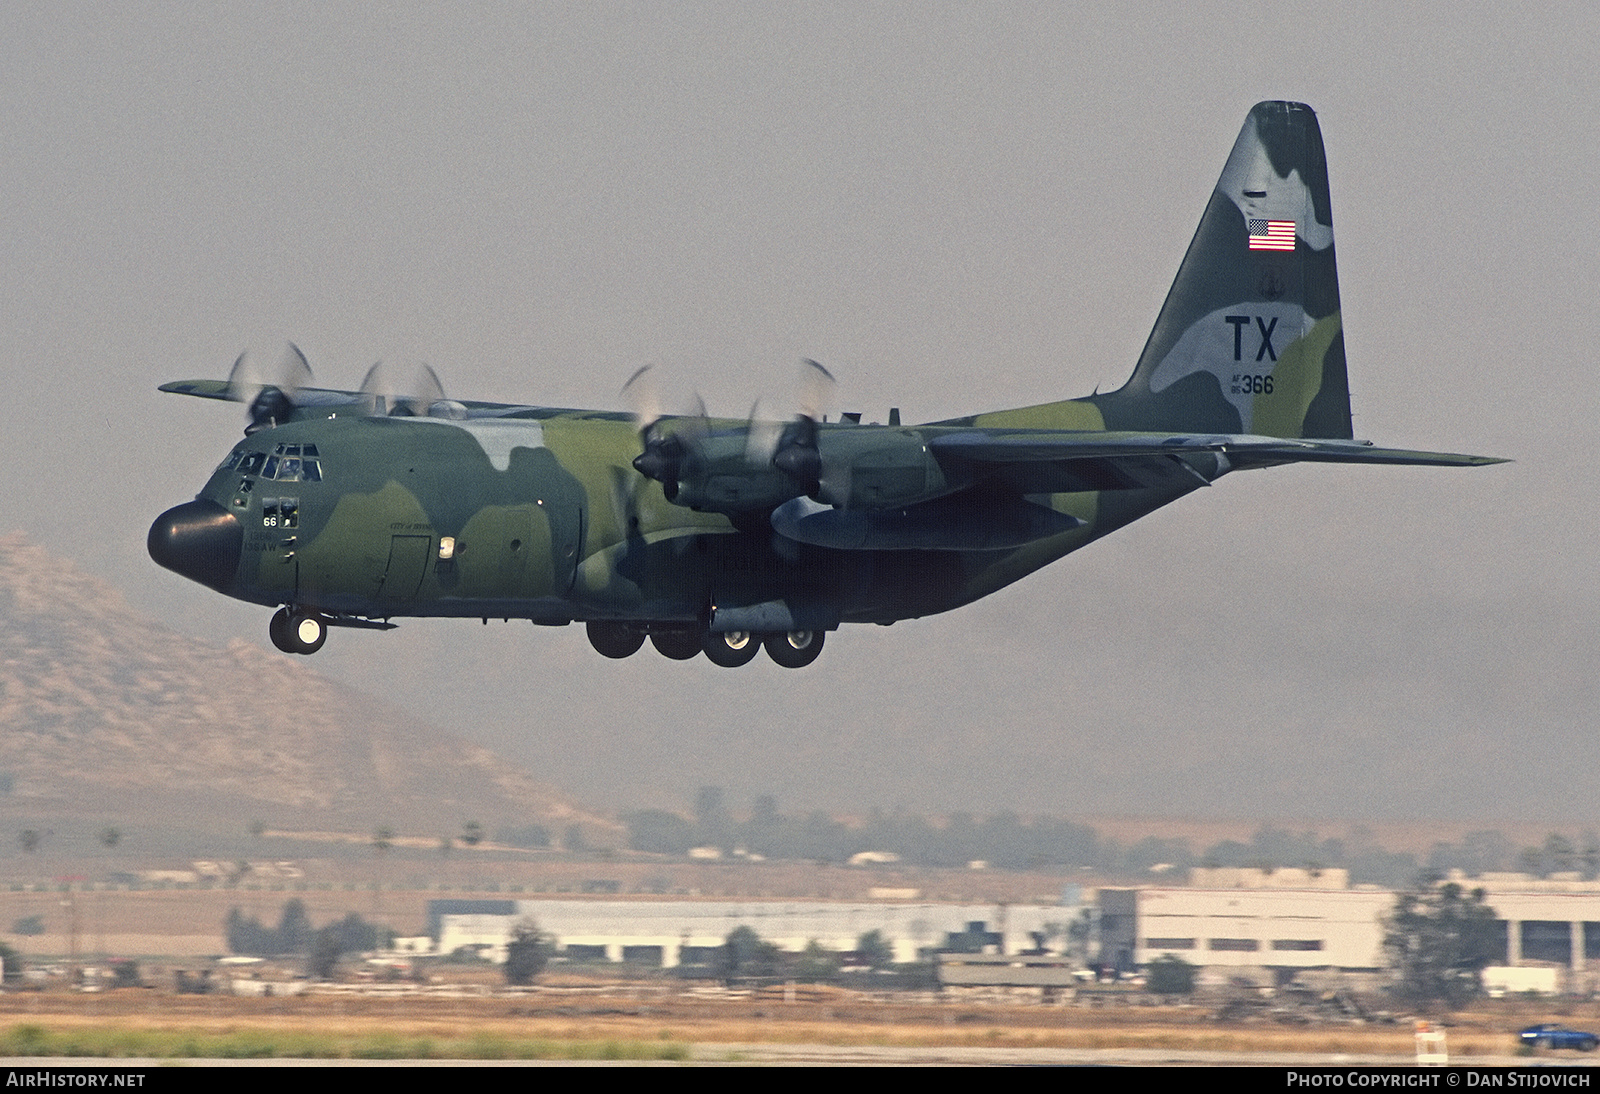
{"x":546,"y":519}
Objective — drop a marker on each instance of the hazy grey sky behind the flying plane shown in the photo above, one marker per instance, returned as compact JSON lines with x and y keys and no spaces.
{"x":956,"y":209}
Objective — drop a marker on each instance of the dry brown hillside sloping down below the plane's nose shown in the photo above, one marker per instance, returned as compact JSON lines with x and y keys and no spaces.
{"x":106,"y":714}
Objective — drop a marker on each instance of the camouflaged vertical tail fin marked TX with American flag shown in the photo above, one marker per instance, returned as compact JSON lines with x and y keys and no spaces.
{"x":1250,"y":337}
